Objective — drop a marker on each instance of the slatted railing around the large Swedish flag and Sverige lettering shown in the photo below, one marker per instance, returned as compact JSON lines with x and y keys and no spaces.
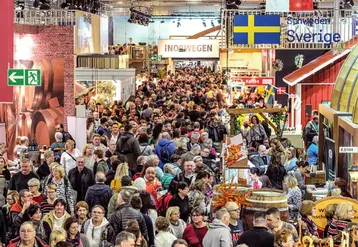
{"x":344,"y":22}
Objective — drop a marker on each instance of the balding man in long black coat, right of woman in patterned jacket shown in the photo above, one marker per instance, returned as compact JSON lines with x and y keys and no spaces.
{"x":81,"y":178}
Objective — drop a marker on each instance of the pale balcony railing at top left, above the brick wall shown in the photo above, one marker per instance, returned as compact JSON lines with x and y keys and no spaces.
{"x":45,"y":17}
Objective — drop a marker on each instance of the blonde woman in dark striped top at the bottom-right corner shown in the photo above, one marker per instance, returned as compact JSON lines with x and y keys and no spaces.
{"x":343,"y":216}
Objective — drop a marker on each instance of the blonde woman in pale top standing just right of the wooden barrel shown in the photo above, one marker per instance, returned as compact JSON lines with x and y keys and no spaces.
{"x":294,"y":196}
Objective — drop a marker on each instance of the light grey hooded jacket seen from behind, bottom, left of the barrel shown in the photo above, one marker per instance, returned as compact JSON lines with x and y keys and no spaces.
{"x":219,"y":235}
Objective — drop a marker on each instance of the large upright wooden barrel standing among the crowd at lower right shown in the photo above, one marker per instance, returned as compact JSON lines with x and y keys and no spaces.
{"x":261,"y":201}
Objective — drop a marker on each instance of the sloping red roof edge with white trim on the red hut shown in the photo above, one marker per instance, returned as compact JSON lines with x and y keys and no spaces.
{"x":319,"y":63}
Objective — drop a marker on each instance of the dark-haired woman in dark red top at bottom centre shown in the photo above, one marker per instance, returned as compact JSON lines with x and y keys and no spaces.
{"x":195,"y":232}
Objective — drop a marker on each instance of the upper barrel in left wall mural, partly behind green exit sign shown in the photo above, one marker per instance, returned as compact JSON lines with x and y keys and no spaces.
{"x":52,"y":86}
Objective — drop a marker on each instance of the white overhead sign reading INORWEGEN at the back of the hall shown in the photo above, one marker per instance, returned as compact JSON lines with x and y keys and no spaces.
{"x":188,"y":48}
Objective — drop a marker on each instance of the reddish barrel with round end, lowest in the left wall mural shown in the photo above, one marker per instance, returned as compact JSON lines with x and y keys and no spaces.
{"x":43,"y":125}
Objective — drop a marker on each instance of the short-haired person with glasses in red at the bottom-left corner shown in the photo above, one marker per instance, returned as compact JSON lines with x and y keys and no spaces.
{"x":27,"y":237}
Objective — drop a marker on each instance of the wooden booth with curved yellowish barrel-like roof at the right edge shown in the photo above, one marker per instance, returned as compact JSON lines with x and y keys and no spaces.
{"x":342,"y":115}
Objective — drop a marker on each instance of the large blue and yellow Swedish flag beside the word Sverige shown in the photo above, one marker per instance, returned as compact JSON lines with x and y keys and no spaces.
{"x":257,"y":29}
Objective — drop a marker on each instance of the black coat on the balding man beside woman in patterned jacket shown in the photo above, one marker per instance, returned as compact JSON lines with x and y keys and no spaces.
{"x":87,"y":180}
